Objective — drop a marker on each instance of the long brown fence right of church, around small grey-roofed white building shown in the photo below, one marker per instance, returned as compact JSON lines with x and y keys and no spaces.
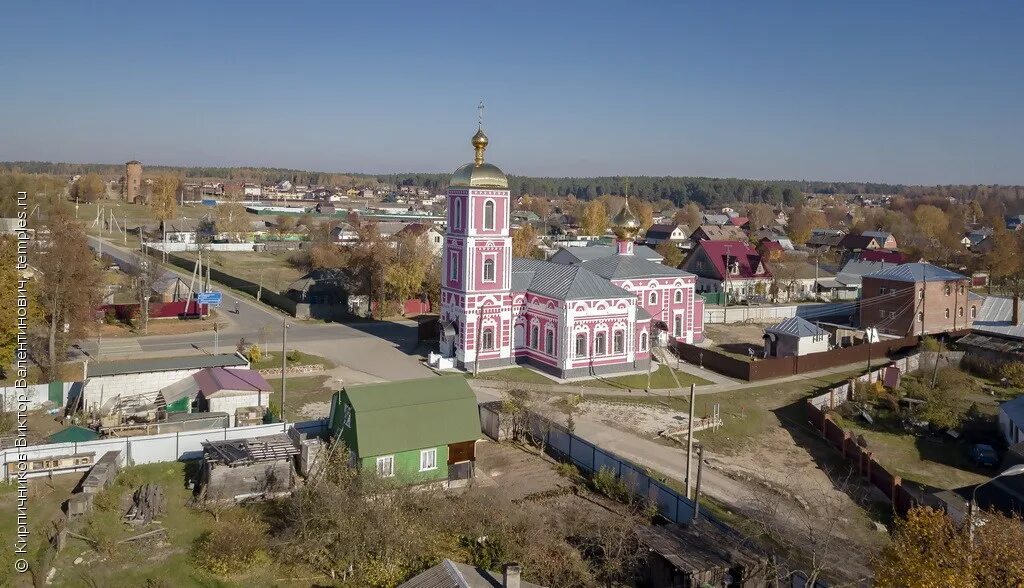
{"x":782,"y":367}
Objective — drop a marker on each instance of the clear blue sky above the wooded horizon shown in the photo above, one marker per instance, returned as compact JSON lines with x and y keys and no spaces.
{"x":916,"y":93}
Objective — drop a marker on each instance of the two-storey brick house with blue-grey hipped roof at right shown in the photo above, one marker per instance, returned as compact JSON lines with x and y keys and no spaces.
{"x":916,"y":300}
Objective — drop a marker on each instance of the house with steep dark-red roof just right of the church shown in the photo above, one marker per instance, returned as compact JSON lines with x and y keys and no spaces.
{"x":732,"y":267}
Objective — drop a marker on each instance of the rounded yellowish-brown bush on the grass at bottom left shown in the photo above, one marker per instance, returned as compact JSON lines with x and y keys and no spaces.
{"x":237,"y":543}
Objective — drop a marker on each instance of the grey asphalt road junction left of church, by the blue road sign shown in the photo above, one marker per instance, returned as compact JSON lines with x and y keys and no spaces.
{"x":365,"y":352}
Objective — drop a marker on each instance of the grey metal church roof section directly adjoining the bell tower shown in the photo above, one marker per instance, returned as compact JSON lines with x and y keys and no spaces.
{"x":562,"y":282}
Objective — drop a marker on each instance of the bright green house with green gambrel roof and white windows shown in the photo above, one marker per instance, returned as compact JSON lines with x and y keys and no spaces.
{"x":415,"y":431}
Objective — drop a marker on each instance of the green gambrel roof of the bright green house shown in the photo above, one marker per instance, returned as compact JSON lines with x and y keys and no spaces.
{"x":393,"y":417}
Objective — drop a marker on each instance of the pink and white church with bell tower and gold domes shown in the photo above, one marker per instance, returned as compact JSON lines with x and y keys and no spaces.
{"x":598,"y":317}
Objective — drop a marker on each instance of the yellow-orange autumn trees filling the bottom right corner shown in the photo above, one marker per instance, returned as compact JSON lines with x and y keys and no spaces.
{"x":930,"y":551}
